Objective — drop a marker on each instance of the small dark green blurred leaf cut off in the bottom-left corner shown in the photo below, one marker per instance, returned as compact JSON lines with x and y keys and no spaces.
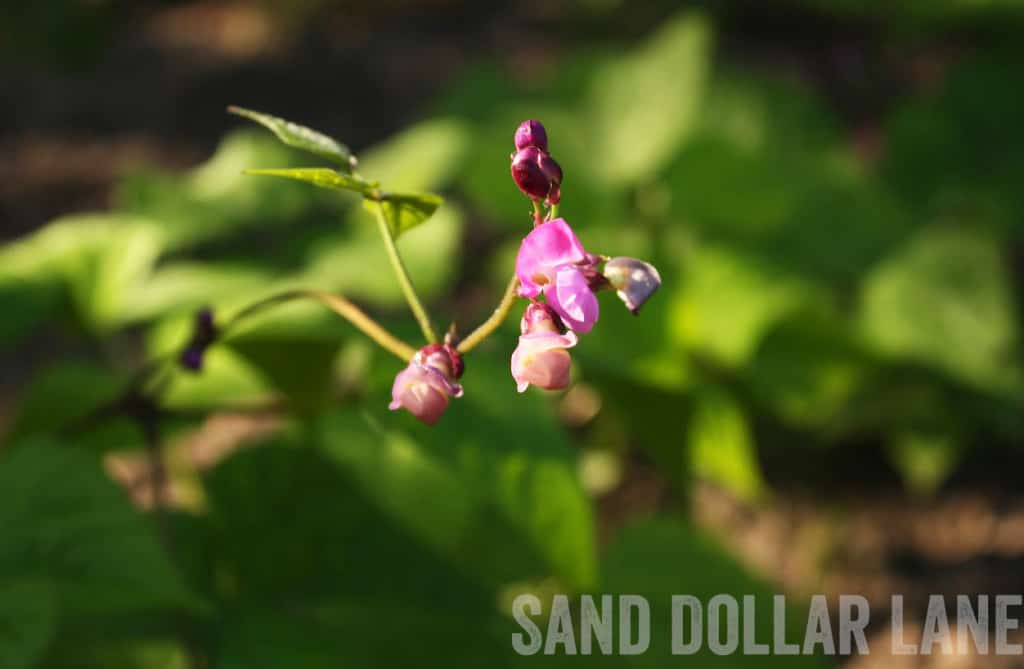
{"x":28,"y":622}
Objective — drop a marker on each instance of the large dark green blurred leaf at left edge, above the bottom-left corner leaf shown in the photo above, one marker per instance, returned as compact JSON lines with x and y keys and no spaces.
{"x":65,"y":523}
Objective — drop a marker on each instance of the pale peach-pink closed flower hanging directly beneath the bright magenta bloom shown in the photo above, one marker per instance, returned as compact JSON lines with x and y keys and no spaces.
{"x":542,"y":359}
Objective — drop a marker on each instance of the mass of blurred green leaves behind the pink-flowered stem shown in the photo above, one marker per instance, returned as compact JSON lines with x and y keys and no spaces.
{"x":814,"y":298}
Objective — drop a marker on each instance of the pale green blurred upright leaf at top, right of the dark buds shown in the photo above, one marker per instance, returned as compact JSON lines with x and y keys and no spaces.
{"x":647,"y":104}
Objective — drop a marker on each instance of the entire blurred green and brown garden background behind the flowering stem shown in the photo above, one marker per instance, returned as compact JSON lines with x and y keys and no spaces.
{"x":827,"y":396}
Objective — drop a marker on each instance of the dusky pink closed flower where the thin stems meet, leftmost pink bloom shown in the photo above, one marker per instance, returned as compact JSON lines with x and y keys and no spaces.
{"x":423,"y":389}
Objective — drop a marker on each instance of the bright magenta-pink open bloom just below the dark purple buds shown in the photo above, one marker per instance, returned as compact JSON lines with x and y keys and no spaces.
{"x":551,"y":261}
